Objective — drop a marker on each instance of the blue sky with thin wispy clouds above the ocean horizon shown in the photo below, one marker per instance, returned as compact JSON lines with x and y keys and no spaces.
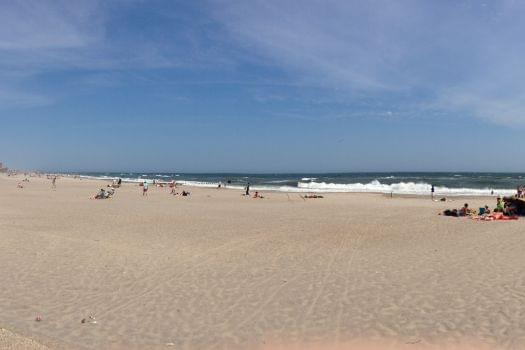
{"x":262,"y":86}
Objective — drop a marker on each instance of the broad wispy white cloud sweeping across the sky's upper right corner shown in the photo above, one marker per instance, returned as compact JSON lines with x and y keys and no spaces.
{"x":463,"y":57}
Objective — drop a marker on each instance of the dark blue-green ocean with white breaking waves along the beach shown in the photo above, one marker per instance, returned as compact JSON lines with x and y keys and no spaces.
{"x":408,"y":183}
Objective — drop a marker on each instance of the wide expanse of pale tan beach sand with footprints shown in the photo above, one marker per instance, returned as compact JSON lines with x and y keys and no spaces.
{"x":220,"y":271}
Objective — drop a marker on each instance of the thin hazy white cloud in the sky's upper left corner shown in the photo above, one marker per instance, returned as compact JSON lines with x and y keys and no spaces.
{"x":51,"y":37}
